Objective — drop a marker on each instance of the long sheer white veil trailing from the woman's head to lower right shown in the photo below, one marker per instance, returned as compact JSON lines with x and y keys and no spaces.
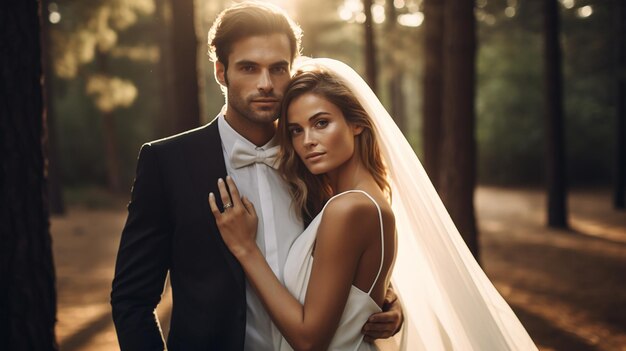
{"x":449,"y":303}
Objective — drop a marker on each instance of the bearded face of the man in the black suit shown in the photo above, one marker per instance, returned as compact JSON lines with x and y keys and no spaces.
{"x":258,"y":74}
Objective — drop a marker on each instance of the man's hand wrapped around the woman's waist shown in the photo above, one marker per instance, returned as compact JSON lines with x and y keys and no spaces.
{"x":386,"y":323}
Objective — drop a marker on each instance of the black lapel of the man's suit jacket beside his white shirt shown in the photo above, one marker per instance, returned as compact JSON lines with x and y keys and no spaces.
{"x":208,"y":155}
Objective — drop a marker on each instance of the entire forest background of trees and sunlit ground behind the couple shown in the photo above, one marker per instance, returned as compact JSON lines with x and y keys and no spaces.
{"x":515,"y":107}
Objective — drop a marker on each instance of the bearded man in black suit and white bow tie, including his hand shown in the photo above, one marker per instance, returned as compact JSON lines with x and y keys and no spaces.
{"x":170,"y":226}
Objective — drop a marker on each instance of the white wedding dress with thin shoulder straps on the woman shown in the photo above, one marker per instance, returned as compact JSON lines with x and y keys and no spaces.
{"x":359,"y":306}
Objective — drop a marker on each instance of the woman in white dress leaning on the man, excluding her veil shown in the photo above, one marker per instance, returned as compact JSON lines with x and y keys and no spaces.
{"x":338,"y":270}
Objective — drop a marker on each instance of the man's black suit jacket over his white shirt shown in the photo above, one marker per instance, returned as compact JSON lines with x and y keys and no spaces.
{"x":170,"y":227}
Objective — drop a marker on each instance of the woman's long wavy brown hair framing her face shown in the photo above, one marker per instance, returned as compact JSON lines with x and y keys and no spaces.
{"x":310,"y":192}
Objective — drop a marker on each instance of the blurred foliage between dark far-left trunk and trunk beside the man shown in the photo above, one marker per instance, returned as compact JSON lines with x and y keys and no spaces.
{"x":126,"y":37}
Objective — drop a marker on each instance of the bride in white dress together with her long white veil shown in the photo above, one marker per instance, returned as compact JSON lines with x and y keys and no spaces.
{"x":344,"y":158}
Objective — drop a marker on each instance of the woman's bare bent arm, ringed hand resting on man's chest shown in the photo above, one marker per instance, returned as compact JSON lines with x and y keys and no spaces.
{"x":342,"y":237}
